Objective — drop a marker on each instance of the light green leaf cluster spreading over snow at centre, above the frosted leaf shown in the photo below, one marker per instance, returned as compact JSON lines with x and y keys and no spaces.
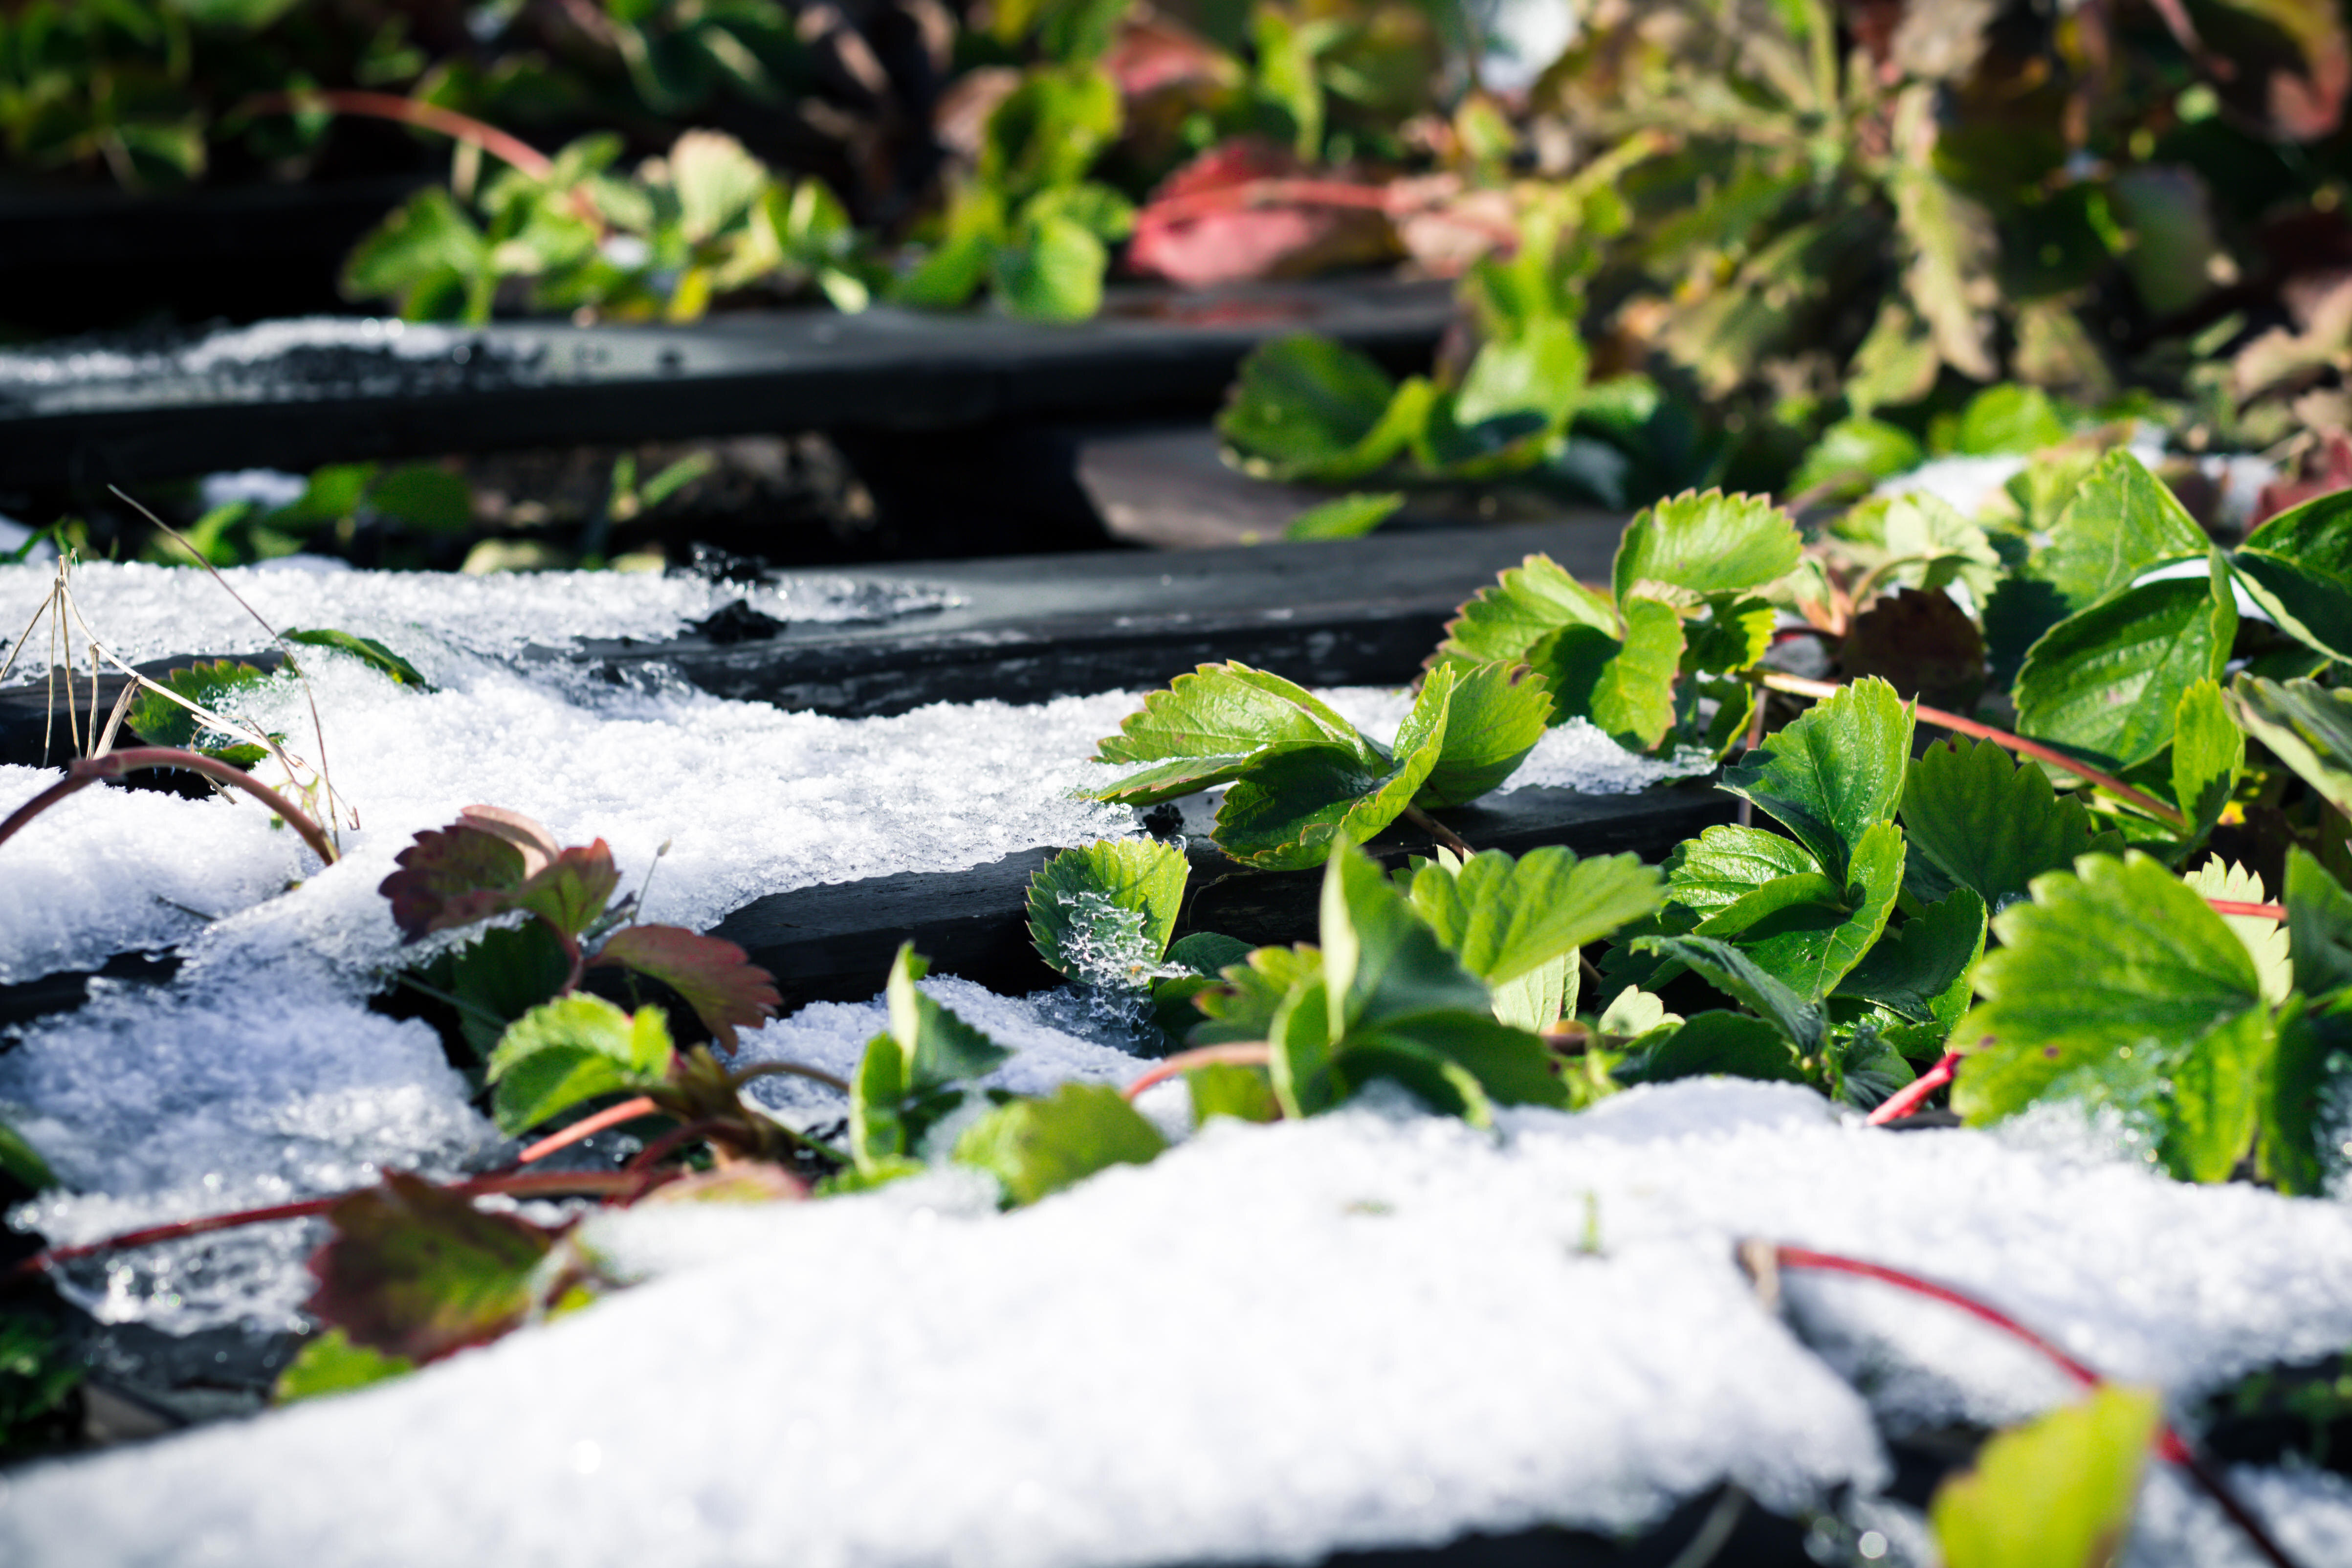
{"x":1302,"y":777}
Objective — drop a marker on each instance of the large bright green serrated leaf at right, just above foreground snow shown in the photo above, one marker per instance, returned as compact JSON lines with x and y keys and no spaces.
{"x":2120,"y":965}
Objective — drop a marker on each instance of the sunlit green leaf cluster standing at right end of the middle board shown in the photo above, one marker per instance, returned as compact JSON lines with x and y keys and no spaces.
{"x":1652,"y":662}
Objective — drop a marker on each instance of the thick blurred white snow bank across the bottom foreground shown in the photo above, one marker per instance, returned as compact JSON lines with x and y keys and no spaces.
{"x":1368,"y":1329}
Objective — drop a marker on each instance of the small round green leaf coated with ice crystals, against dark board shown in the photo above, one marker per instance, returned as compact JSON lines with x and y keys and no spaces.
{"x":1104,"y":913}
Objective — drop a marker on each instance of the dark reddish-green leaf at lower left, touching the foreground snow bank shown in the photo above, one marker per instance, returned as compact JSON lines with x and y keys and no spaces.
{"x":420,"y":1273}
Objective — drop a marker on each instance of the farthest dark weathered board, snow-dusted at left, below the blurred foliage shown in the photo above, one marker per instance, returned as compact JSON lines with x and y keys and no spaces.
{"x":537,"y":384}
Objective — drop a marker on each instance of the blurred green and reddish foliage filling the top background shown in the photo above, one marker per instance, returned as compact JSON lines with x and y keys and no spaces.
{"x":1791,"y":246}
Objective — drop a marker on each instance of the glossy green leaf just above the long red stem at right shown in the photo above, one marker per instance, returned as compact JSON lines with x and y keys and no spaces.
{"x":2109,"y":683}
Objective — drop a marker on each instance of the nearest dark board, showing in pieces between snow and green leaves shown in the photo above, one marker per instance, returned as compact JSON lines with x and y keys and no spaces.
{"x":836,"y":942}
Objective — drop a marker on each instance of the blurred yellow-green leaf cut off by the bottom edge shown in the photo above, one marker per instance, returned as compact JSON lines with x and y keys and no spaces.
{"x":2052,"y":1494}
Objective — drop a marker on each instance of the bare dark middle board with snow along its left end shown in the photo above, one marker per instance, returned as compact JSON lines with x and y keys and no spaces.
{"x":1034,"y":629}
